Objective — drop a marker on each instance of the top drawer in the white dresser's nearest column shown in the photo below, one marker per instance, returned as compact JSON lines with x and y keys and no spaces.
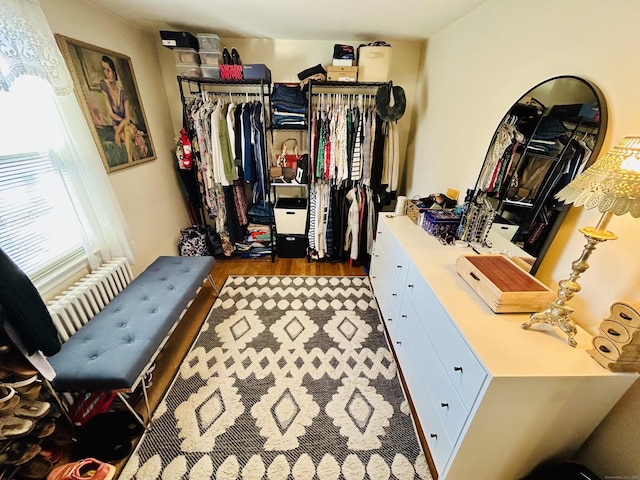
{"x":460,"y":363}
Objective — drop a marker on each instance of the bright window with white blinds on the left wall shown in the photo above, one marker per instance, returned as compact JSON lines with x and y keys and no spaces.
{"x":42,"y":225}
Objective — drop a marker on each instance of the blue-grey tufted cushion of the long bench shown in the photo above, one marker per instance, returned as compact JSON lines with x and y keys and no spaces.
{"x":111,"y":351}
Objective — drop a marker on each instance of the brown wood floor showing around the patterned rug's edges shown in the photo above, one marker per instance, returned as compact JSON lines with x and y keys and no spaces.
{"x":178,"y":345}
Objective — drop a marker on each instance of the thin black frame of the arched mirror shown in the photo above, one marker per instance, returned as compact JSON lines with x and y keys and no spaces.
{"x":602,"y":128}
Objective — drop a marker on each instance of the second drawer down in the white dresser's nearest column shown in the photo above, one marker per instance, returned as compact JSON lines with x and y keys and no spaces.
{"x":431,"y":375}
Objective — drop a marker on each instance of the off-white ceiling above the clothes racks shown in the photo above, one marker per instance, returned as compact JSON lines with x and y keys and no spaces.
{"x":296,"y":19}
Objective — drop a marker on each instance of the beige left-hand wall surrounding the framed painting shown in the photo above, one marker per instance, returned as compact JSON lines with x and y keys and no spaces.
{"x":149,"y":194}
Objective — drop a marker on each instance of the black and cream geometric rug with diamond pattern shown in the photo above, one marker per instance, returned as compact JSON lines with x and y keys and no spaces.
{"x":289,"y":378}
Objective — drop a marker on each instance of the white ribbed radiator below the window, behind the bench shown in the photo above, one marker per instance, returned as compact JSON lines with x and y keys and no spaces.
{"x":79,"y":303}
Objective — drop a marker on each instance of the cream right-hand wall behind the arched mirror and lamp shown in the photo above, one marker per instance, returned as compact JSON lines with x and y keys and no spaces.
{"x":473,"y":72}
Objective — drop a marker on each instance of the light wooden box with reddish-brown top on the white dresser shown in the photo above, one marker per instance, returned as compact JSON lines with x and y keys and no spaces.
{"x":504,"y":286}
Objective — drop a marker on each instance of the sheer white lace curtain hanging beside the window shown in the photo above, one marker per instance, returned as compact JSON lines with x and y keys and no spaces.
{"x":28,"y":47}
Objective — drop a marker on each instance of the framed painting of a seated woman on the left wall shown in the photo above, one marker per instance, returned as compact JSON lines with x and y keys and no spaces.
{"x":108,"y":94}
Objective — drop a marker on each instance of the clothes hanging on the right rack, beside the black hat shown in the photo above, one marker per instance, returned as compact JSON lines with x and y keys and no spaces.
{"x":354,"y":164}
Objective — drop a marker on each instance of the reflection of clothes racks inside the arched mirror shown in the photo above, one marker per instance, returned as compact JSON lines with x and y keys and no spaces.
{"x":552,"y":133}
